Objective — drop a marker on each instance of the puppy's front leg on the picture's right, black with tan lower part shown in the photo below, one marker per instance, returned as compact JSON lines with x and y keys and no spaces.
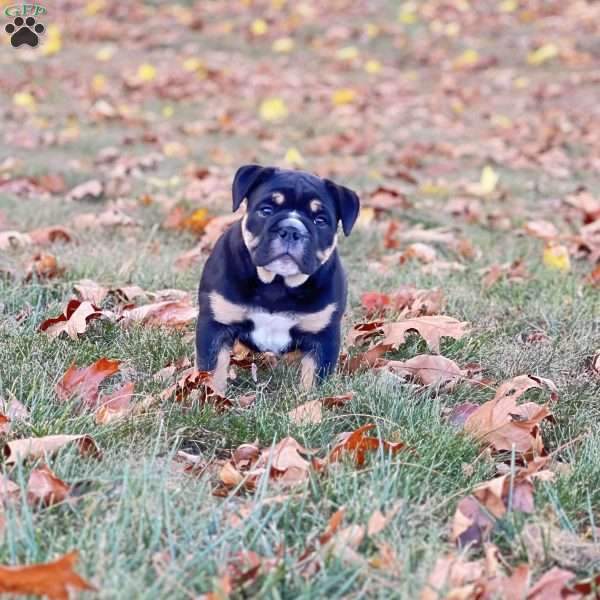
{"x":321,"y":352}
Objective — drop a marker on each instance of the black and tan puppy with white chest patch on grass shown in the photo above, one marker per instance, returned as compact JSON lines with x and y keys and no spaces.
{"x":274,"y":280}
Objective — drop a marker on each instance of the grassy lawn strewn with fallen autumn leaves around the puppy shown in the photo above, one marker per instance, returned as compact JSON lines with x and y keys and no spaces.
{"x":471,"y":132}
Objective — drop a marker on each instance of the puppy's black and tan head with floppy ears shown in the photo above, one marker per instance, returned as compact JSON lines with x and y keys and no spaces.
{"x":292,"y":218}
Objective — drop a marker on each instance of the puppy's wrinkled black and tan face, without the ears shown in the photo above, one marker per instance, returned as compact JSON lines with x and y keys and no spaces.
{"x":291,"y":223}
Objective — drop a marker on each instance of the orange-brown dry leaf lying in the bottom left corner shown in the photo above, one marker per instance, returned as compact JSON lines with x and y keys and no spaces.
{"x":52,"y":580}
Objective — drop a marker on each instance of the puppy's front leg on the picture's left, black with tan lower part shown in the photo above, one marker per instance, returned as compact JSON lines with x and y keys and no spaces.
{"x":213,"y":347}
